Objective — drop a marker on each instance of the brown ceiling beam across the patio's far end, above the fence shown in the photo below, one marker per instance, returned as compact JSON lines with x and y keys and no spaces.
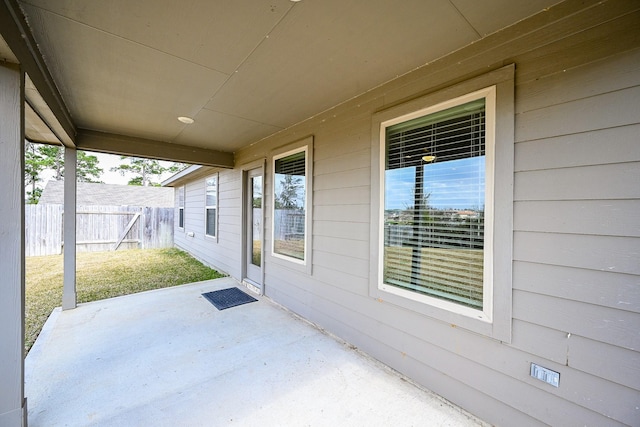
{"x":139,"y":147}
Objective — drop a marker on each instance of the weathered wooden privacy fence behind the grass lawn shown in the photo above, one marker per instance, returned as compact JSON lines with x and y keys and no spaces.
{"x":98,"y":228}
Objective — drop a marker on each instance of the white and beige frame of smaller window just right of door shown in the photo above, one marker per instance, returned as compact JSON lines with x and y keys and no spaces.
{"x":306,"y":146}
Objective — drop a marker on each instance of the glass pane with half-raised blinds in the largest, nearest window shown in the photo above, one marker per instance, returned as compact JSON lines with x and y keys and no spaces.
{"x":434,"y":204}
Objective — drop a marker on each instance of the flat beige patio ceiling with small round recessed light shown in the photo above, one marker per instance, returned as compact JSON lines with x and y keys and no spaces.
{"x":243,"y":69}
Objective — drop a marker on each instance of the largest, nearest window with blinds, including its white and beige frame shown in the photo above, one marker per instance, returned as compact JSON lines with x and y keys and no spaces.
{"x":442,"y":223}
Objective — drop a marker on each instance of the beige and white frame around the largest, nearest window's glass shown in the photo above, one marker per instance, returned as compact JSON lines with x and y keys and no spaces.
{"x":494,"y":319}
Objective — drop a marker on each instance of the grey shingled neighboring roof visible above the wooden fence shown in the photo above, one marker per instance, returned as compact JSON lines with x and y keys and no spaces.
{"x":88,"y":194}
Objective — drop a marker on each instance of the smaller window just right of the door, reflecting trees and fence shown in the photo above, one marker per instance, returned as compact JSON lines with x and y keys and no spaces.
{"x":290,"y":184}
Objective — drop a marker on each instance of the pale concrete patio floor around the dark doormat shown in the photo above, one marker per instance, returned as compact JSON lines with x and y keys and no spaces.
{"x":169,"y":357}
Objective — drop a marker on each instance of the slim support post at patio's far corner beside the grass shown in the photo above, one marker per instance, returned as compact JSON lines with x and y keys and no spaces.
{"x":69,"y":299}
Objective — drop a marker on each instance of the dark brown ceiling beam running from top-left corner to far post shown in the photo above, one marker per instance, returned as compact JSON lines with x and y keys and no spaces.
{"x":17,"y":34}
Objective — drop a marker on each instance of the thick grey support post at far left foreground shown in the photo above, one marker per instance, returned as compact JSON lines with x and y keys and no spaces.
{"x":13,"y":405}
